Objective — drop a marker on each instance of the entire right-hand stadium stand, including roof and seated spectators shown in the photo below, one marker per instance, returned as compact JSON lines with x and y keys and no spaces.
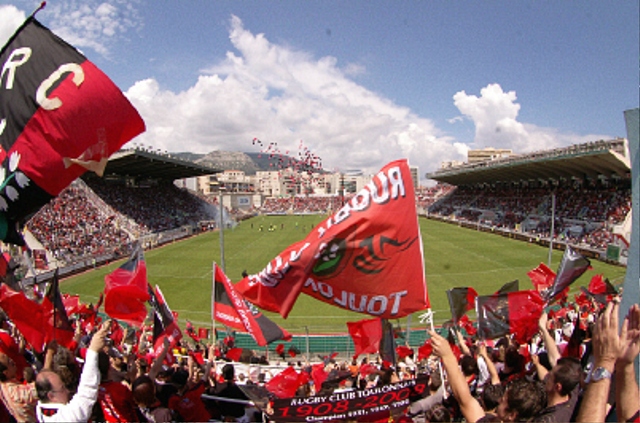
{"x":590,"y":182}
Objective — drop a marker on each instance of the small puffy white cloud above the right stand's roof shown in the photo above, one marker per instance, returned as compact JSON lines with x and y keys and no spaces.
{"x":494,"y":115}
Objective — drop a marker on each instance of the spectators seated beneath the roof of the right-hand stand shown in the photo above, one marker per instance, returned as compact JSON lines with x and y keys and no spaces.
{"x":585,"y":212}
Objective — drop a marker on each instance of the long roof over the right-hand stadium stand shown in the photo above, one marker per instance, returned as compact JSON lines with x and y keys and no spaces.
{"x":606,"y":158}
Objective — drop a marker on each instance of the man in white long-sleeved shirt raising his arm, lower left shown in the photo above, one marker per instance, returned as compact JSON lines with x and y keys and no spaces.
{"x":54,"y":404}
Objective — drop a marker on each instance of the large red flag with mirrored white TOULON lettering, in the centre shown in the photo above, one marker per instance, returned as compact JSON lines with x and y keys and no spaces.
{"x":366,"y":258}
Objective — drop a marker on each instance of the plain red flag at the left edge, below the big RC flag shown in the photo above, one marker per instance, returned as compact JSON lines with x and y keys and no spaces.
{"x":27,"y":315}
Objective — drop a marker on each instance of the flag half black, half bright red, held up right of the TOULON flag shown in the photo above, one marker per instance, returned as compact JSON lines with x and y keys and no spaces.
{"x":514,"y":313}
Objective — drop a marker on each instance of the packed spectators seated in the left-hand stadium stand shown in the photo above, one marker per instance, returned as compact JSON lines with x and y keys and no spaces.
{"x":74,"y":226}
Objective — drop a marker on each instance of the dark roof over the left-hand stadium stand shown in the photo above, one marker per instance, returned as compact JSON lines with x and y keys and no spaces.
{"x":143,"y":164}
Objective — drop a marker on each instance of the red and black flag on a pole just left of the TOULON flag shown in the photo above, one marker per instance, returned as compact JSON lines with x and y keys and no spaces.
{"x":231,"y":309}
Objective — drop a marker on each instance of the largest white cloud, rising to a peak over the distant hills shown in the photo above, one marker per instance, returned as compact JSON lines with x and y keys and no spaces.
{"x":280,"y":95}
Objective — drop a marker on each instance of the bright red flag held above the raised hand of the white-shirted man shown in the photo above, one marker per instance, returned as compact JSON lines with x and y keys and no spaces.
{"x":125,"y":292}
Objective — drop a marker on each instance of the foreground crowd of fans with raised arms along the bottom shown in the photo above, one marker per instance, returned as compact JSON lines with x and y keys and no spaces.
{"x":578,"y":367}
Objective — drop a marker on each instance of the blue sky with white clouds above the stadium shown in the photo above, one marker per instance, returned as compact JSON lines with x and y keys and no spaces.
{"x":360,"y":83}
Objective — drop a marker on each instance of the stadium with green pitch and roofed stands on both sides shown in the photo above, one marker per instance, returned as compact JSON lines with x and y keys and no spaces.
{"x":96,"y":221}
